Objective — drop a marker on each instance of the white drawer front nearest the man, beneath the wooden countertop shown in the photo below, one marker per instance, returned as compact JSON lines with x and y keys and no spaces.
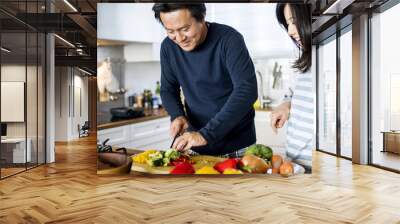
{"x":150,"y":129}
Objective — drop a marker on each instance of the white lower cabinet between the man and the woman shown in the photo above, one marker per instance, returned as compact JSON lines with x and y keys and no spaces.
{"x":265,"y":134}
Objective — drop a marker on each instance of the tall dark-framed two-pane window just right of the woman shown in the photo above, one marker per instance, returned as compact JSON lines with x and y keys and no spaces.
{"x":334,"y":99}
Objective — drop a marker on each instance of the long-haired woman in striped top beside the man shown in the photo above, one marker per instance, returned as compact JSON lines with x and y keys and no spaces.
{"x":299,"y":106}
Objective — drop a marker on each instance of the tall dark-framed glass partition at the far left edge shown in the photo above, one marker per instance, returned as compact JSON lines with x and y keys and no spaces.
{"x":22,"y":76}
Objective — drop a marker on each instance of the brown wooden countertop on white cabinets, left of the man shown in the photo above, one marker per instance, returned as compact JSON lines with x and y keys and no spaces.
{"x":150,"y":115}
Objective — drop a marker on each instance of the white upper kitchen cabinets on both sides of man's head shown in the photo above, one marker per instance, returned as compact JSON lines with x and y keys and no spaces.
{"x":135,"y":22}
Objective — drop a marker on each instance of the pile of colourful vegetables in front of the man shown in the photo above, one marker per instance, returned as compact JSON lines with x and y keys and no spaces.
{"x":258,"y":158}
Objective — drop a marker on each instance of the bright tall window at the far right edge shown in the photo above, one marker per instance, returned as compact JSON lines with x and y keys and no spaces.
{"x":385,"y":89}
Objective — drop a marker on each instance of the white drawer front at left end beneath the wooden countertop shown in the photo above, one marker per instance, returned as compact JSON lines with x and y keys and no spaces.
{"x":116,"y":135}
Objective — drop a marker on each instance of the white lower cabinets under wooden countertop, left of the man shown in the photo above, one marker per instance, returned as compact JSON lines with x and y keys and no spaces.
{"x":153,"y":134}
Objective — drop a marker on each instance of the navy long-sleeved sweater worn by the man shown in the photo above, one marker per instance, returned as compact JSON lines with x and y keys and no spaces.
{"x":219,"y":86}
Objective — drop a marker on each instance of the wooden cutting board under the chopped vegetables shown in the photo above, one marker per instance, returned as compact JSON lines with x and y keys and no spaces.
{"x":200,"y":161}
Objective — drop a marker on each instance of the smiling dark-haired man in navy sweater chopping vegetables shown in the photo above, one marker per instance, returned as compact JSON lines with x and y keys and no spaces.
{"x":211,"y":64}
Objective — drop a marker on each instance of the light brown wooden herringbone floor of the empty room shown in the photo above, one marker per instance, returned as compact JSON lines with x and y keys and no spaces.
{"x":69,"y":191}
